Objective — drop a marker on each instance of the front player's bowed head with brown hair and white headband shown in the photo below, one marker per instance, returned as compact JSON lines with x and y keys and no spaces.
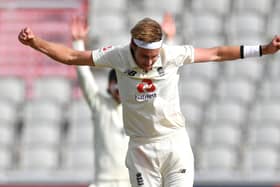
{"x":146,"y":42}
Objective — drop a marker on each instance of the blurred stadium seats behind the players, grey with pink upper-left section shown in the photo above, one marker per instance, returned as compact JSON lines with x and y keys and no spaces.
{"x":232,"y":109}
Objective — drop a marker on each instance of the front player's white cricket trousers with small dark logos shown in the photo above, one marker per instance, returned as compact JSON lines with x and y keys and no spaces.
{"x":166,"y":162}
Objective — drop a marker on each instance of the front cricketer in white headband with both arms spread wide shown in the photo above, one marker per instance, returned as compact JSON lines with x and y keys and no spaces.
{"x":159,"y":153}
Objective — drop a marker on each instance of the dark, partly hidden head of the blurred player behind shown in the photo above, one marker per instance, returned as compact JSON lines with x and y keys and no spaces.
{"x":113,"y":89}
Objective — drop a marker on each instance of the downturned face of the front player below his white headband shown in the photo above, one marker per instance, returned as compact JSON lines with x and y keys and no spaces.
{"x":145,"y":58}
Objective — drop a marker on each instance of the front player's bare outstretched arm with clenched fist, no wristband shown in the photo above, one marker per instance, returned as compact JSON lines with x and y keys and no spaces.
{"x":56,"y":51}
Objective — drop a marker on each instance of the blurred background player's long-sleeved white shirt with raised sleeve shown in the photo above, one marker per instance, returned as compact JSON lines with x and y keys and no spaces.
{"x":110,"y":141}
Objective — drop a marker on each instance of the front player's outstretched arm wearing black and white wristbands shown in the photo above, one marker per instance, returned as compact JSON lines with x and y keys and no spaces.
{"x":224,"y":53}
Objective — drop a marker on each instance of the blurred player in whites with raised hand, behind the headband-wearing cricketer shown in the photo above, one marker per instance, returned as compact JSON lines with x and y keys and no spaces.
{"x":110,"y":144}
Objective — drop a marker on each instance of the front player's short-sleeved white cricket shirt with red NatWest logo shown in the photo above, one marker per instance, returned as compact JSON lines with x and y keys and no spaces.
{"x":151,"y":105}
